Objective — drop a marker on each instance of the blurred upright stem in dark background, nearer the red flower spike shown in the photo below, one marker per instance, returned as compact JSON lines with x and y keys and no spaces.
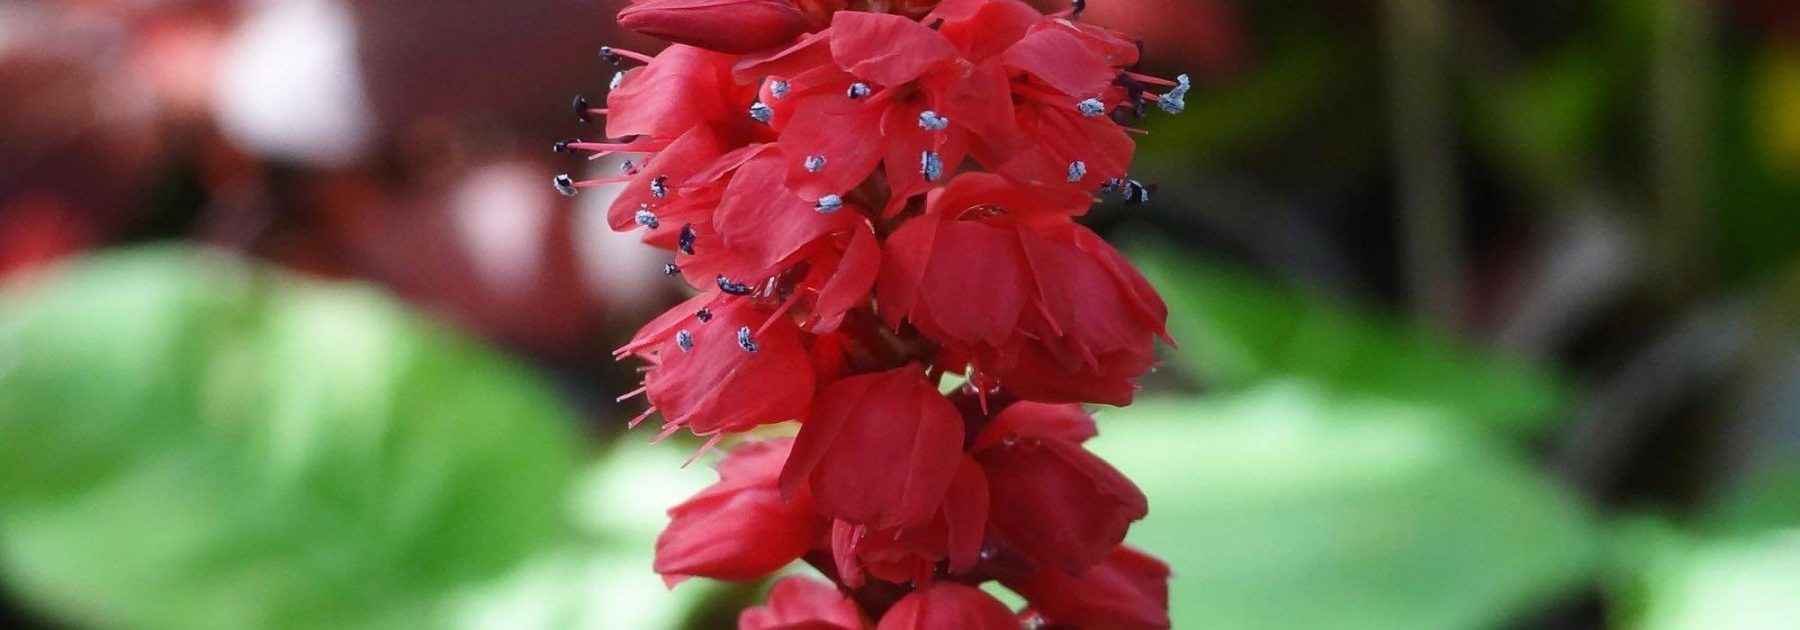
{"x":1425,"y":156}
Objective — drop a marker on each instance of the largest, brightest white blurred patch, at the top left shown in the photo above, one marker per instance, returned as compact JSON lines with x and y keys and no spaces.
{"x":289,"y":85}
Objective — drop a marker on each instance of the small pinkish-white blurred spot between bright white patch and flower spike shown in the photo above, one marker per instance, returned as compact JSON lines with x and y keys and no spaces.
{"x":501,"y":215}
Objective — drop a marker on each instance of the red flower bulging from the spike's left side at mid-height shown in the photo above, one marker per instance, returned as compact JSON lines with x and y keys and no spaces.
{"x":710,"y":382}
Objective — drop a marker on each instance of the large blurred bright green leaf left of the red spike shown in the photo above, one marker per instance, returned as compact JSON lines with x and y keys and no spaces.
{"x":193,"y":444}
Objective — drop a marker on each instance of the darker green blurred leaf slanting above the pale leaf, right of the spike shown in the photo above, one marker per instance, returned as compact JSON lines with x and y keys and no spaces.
{"x":1237,"y":330}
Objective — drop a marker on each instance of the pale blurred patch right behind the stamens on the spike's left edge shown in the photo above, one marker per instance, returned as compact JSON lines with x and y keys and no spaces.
{"x":618,"y":264}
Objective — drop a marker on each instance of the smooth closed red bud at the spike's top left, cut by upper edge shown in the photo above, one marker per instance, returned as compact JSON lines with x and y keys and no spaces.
{"x":724,"y":26}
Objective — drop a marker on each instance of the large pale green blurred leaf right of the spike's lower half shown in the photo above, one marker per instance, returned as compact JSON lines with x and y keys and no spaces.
{"x":1293,"y":508}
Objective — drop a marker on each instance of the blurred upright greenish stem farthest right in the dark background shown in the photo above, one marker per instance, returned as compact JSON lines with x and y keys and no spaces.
{"x":1682,"y":64}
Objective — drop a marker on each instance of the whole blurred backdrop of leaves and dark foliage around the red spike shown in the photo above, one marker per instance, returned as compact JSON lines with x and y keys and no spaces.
{"x":1488,"y":319}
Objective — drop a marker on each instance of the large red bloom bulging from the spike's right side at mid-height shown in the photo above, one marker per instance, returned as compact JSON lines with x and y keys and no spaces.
{"x":1052,"y":312}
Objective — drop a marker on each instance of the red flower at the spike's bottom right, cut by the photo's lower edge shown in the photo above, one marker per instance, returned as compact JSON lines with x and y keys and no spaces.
{"x":1128,"y":591}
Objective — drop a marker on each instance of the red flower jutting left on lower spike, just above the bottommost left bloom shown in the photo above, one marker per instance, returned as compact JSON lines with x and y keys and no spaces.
{"x":741,"y":528}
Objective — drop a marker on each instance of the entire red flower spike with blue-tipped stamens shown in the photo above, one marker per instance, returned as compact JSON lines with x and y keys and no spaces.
{"x":872,"y":195}
